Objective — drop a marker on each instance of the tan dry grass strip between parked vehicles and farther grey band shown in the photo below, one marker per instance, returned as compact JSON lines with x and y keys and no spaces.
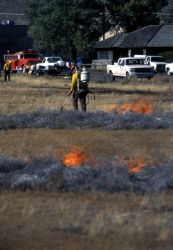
{"x":27,"y":94}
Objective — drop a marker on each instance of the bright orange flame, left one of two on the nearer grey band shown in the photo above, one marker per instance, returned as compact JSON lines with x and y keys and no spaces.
{"x":75,"y":157}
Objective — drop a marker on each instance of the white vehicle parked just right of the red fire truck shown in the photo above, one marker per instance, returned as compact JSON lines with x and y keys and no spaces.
{"x":50,"y":62}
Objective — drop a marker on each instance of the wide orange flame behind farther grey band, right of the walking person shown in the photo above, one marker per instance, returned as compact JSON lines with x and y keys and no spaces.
{"x":139,"y":106}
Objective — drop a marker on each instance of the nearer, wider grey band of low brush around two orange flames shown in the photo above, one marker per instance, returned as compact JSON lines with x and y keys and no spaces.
{"x":106,"y":175}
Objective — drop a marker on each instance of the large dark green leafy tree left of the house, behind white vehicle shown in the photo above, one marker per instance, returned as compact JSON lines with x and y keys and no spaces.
{"x":64,"y":26}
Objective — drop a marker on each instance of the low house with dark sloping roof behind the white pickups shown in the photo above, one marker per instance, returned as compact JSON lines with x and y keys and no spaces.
{"x":152,"y":39}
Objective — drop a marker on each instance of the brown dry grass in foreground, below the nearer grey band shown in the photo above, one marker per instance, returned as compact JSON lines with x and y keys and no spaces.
{"x":126,"y":221}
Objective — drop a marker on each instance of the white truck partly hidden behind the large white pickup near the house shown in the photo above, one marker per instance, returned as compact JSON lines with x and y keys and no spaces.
{"x":157,"y":62}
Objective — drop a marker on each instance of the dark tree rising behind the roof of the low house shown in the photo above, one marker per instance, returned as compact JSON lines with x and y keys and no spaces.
{"x":134,"y":14}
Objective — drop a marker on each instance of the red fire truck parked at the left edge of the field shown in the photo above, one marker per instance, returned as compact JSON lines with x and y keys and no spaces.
{"x":22,"y":59}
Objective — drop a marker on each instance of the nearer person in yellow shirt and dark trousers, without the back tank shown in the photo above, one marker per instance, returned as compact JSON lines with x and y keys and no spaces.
{"x":78,"y":93}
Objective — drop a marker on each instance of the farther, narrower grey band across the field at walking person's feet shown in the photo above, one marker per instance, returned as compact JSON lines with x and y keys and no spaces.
{"x":112,"y":120}
